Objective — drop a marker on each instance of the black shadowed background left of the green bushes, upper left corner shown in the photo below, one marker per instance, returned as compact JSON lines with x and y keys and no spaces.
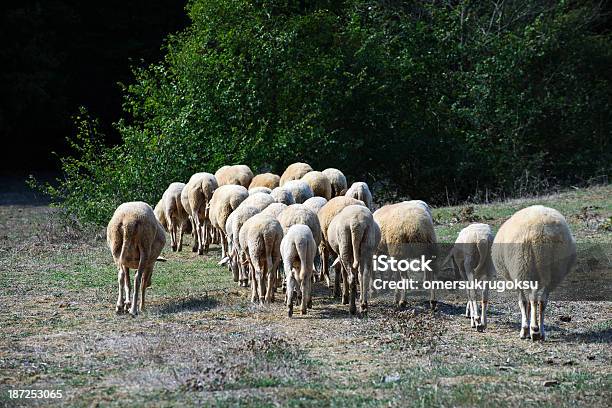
{"x":57,"y":55}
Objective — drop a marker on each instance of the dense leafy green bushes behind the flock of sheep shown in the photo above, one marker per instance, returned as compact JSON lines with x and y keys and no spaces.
{"x":435,"y":100}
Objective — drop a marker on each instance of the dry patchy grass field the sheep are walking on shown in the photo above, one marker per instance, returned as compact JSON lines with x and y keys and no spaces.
{"x":202,"y":342}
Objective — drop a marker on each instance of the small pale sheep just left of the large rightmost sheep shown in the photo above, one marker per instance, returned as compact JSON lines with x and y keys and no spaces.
{"x":471,"y":256}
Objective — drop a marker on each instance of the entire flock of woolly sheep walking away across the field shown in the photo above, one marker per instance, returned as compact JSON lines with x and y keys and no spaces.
{"x":266,"y":224}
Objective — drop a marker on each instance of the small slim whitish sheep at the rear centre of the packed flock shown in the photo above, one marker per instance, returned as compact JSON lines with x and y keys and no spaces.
{"x":298,"y":250}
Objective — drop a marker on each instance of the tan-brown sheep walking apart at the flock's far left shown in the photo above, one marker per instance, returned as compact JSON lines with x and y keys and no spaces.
{"x":135,"y":239}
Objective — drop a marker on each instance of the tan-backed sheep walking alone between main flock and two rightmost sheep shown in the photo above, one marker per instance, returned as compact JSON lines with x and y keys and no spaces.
{"x":407,"y":232}
